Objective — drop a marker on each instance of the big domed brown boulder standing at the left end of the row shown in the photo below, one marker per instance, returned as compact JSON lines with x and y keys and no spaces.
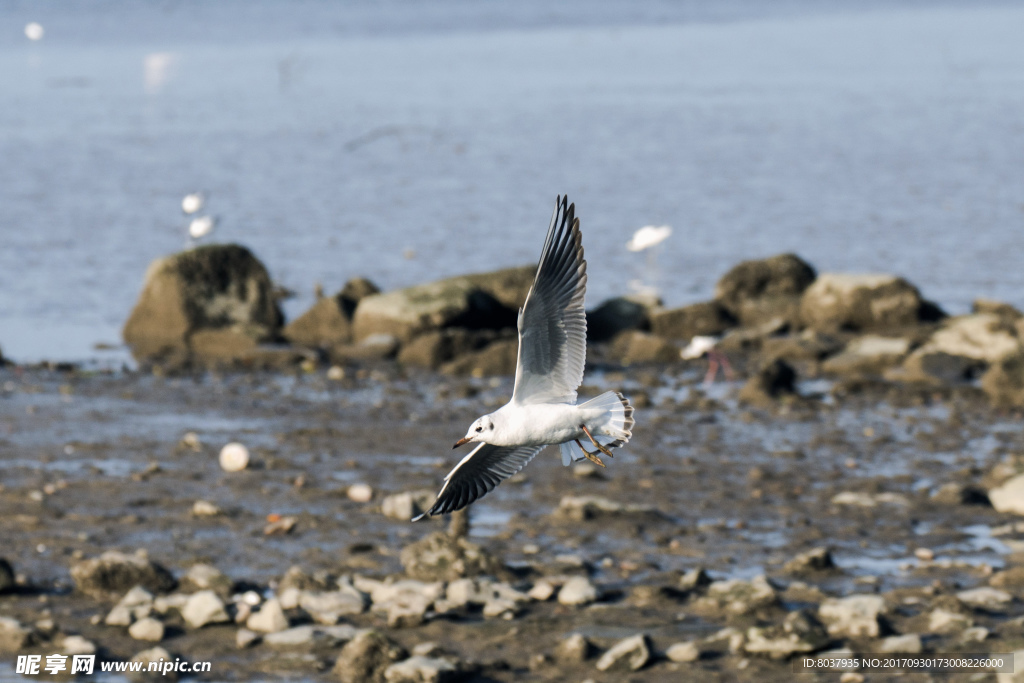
{"x":222,"y":293}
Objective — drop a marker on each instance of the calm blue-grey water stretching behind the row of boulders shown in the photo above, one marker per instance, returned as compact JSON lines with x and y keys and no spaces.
{"x":407,"y":142}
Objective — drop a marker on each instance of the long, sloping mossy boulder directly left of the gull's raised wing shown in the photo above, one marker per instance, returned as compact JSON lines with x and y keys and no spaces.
{"x":482,"y":302}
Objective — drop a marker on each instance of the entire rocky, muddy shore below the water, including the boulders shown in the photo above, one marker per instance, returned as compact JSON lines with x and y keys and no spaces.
{"x":856,"y":487}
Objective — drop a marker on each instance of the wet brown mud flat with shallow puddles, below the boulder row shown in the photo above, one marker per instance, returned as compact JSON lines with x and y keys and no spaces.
{"x":703,"y":532}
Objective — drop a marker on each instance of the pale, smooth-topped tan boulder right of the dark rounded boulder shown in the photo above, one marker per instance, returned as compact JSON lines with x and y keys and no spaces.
{"x":864,"y":303}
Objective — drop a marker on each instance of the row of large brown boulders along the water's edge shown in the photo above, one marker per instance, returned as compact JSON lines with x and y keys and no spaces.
{"x":217,"y":305}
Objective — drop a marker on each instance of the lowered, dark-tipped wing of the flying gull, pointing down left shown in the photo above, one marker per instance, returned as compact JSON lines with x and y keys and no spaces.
{"x":478,"y":475}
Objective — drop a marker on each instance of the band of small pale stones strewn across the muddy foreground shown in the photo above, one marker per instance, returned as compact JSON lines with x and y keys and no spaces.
{"x":356,"y":619}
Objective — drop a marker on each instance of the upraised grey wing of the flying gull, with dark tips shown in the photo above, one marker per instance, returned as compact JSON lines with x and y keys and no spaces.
{"x":553,"y":322}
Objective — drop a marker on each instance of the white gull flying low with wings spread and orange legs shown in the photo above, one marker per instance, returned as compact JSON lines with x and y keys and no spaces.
{"x":543,"y":411}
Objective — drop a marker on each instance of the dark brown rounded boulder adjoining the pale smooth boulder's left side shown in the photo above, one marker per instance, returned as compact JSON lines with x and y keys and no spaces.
{"x":759,"y":291}
